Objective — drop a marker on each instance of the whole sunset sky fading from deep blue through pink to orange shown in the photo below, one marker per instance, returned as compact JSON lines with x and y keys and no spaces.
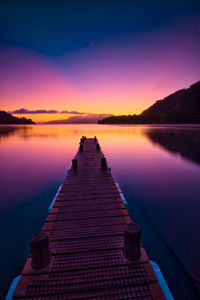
{"x":67,"y":58}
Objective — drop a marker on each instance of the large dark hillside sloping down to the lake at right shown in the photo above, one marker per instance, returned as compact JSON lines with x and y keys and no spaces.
{"x":182,"y":106}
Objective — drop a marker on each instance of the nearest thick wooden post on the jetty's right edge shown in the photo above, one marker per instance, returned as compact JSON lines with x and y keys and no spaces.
{"x":132,"y":240}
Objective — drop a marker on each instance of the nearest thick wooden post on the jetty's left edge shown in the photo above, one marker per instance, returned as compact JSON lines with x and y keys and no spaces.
{"x":40,"y":251}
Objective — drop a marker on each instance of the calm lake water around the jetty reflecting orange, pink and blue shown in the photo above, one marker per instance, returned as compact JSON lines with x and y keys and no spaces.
{"x":157,"y":168}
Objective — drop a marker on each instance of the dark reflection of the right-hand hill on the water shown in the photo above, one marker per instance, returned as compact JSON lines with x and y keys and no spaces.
{"x":183,"y":141}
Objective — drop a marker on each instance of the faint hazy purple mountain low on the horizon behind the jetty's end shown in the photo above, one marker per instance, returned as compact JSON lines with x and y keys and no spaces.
{"x":87,"y":119}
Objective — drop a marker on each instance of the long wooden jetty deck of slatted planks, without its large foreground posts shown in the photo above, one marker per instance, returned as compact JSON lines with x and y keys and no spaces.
{"x":86,"y":235}
